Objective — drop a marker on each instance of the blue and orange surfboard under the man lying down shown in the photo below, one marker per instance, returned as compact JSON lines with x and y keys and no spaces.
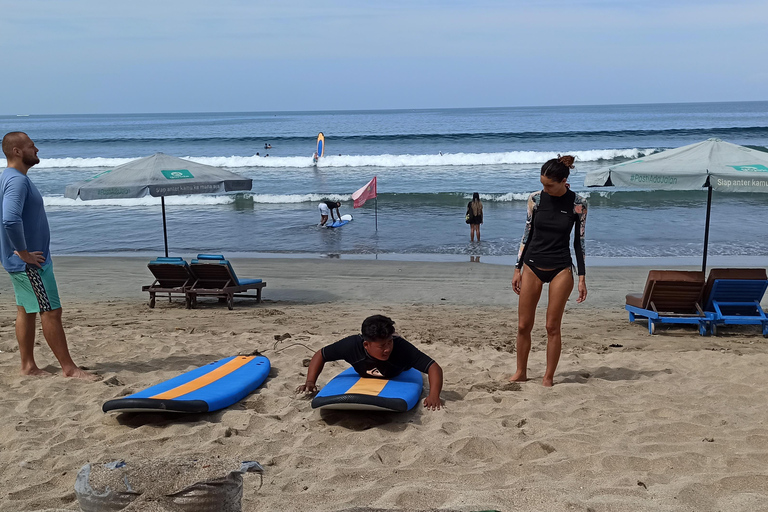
{"x":348,"y":390}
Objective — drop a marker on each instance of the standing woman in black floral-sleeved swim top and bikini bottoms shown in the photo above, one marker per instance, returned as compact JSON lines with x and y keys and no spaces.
{"x":544,"y":257}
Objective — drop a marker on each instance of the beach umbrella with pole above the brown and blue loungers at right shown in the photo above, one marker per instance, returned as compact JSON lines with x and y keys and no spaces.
{"x":713,"y":163}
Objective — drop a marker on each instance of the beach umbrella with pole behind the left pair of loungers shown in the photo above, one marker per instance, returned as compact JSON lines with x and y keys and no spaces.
{"x":158,"y":175}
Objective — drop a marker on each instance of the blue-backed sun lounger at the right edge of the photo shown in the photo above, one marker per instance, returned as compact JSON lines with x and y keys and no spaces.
{"x":733,"y":297}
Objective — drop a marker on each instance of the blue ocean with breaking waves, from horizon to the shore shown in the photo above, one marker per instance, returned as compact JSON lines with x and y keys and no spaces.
{"x":427,"y":163}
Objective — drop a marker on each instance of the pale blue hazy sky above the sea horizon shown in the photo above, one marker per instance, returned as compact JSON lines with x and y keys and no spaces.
{"x":140,"y":56}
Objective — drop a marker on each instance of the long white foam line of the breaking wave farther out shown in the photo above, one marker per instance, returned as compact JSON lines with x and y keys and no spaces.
{"x":386,"y":160}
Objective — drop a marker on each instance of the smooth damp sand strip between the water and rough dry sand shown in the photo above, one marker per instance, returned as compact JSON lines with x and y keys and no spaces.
{"x":356,"y":281}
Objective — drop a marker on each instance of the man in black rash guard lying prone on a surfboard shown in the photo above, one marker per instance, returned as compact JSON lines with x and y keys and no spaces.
{"x":377,"y":353}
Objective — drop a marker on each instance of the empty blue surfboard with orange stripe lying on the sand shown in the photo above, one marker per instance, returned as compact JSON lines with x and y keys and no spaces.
{"x":208,"y":388}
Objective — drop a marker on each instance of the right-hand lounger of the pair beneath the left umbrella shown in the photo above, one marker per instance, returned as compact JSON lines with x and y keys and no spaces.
{"x":215,"y":277}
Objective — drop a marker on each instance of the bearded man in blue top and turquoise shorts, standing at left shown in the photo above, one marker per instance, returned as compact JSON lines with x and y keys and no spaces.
{"x":25,"y":253}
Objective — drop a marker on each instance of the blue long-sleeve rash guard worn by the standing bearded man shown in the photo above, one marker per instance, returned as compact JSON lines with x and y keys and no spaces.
{"x":24,"y":223}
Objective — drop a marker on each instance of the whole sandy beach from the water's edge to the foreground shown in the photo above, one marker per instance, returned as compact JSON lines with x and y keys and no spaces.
{"x":634,"y":422}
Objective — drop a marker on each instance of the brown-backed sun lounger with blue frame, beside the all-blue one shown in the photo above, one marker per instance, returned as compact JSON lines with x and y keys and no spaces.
{"x":670,"y":297}
